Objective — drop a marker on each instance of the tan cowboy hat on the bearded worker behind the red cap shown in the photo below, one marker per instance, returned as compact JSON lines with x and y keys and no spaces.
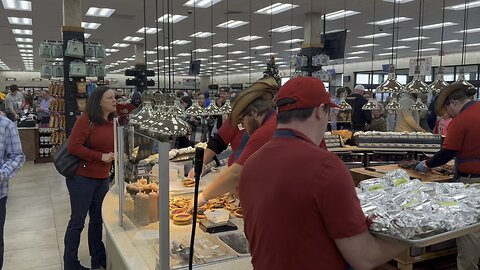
{"x":263,"y":88}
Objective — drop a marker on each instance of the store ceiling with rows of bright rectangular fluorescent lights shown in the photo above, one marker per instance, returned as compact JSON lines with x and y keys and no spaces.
{"x":44,"y":22}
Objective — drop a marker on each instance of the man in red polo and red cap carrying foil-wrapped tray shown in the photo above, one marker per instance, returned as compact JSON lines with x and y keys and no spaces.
{"x":299,"y":202}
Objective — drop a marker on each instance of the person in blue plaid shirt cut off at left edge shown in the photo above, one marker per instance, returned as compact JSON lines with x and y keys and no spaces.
{"x":11,"y":160}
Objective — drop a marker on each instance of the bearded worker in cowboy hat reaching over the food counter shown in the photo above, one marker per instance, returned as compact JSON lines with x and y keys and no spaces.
{"x":253,"y":109}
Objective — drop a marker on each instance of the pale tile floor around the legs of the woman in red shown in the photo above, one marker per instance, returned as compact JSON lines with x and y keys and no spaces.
{"x":38,"y":210}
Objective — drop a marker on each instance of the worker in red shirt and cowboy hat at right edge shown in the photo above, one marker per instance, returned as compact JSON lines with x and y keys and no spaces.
{"x":462,"y":143}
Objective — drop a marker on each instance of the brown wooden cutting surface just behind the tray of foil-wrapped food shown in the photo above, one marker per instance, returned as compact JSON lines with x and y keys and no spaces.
{"x":360,"y":174}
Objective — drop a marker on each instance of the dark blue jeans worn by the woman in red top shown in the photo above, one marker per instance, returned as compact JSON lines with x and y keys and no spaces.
{"x":86,"y":195}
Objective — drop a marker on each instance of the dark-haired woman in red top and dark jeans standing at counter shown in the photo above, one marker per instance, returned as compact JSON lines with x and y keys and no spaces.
{"x":90,"y":184}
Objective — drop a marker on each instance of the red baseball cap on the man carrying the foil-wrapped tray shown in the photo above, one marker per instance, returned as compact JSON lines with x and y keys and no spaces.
{"x":302,"y":93}
